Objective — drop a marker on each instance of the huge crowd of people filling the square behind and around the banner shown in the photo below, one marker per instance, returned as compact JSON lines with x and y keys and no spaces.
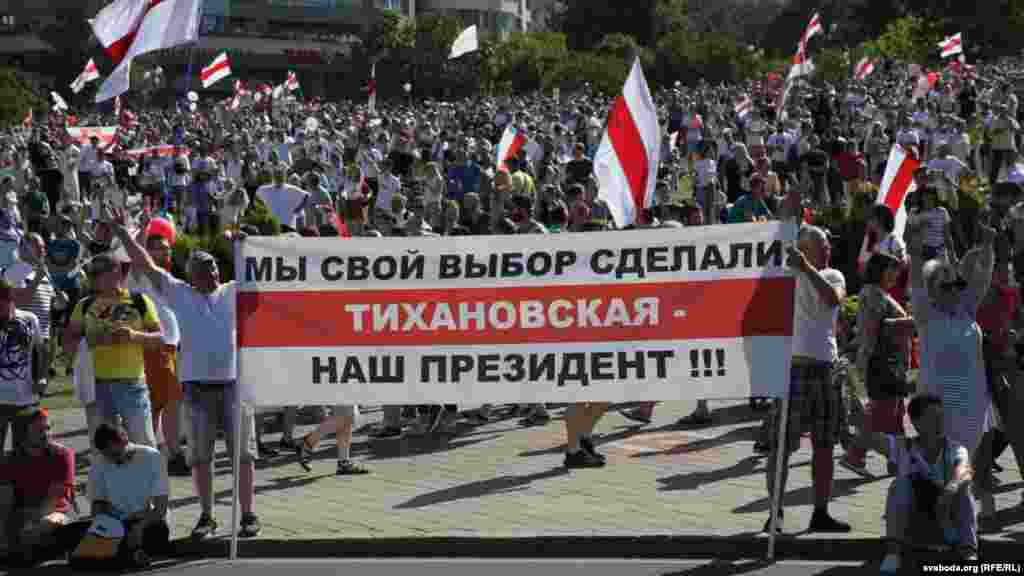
{"x":88,"y":276}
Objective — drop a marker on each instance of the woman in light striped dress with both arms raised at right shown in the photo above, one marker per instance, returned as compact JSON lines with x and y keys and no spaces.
{"x":946,"y":304}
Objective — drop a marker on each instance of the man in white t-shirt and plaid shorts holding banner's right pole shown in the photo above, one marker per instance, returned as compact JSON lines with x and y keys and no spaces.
{"x":815,"y":402}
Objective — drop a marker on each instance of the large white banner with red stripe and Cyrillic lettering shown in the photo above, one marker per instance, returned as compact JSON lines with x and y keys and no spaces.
{"x":626,"y":316}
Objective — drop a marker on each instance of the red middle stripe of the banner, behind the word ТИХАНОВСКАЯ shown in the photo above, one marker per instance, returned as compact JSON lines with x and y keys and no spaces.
{"x":722,"y":309}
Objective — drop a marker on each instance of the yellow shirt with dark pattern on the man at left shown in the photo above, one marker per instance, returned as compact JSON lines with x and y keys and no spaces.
{"x":119,"y":362}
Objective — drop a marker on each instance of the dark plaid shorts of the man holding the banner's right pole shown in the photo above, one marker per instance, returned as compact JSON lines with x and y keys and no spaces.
{"x":816,"y":405}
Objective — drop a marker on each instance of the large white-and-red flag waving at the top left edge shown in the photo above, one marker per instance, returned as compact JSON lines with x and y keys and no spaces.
{"x":132,"y":28}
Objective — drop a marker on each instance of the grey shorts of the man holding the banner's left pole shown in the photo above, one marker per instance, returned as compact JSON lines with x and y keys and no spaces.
{"x":212,"y":405}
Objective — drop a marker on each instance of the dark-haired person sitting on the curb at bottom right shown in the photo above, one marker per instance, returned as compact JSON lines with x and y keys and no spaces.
{"x":933,"y":488}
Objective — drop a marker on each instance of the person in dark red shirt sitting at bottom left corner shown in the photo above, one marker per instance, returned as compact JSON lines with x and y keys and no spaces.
{"x":36,"y":490}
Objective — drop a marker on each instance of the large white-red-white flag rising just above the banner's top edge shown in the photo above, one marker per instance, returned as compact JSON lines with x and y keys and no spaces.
{"x":627,"y":159}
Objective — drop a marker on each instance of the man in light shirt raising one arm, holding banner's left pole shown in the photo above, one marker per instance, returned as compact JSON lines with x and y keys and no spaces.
{"x":206,"y":312}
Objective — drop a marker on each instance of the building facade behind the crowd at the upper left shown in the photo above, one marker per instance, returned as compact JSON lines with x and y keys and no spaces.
{"x":318,"y":39}
